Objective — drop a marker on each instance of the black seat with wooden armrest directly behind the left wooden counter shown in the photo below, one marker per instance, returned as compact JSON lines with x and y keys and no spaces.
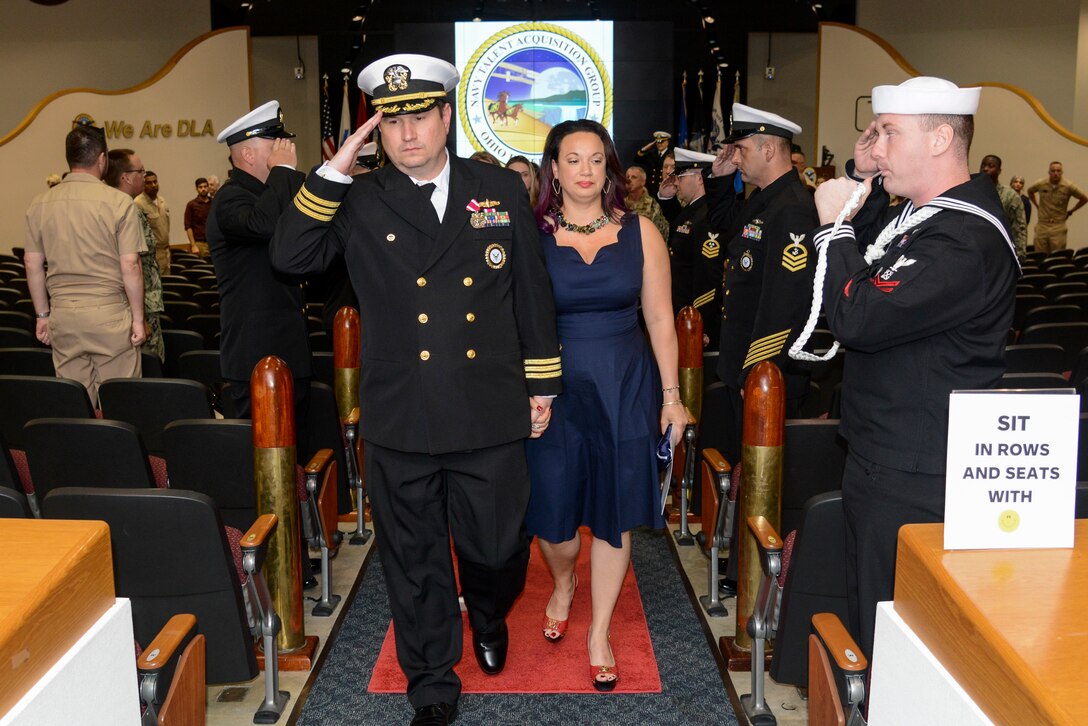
{"x":171,"y":556}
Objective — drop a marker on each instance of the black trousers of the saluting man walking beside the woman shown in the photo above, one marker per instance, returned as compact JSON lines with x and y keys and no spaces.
{"x":419,"y":501}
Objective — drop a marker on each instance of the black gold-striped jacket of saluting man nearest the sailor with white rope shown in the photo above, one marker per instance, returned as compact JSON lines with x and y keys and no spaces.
{"x":769,"y":276}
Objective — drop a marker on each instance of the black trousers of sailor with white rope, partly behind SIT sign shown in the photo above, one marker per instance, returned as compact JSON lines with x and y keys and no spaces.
{"x":877,"y":502}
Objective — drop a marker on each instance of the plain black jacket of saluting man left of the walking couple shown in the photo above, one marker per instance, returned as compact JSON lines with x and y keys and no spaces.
{"x":262,"y":311}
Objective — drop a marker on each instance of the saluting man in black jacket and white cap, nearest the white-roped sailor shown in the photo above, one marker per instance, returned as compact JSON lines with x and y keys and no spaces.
{"x":770,"y":266}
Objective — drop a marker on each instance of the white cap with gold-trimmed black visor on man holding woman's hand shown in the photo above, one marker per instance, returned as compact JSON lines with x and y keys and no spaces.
{"x":407,"y":83}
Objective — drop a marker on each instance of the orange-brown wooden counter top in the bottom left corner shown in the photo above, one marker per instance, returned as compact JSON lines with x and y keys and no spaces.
{"x":56,"y":583}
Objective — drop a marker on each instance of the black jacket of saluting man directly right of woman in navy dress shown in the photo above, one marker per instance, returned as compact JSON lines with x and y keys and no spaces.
{"x":698,"y":255}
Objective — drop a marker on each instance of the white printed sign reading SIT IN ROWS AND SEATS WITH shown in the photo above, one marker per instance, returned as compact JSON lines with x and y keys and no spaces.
{"x":1012,"y":470}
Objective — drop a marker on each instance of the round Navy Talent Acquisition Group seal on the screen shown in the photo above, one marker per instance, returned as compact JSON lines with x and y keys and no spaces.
{"x":525,"y":80}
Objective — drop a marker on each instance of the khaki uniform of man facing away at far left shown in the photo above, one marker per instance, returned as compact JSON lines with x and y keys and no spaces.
{"x":83,"y":228}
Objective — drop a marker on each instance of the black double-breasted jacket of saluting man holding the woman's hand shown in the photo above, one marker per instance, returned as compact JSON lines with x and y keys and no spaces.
{"x":458,"y":321}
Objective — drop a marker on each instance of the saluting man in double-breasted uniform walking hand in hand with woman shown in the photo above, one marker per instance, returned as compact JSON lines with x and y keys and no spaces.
{"x":460,"y":356}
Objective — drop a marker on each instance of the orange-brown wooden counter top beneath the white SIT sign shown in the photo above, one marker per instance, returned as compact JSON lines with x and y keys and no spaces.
{"x":1008,"y":625}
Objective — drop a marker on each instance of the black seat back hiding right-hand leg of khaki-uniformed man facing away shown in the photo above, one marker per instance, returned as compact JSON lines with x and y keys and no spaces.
{"x":150,"y":404}
